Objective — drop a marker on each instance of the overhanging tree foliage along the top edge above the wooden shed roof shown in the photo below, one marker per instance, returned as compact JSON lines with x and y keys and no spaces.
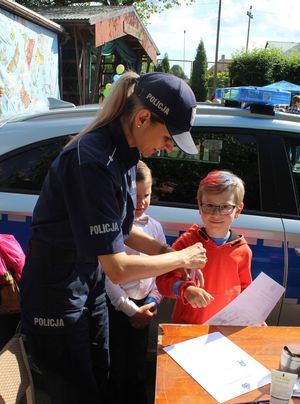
{"x":145,"y":8}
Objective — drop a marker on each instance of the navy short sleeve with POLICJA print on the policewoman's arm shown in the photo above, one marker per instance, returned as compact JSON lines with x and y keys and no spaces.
{"x":95,"y":206}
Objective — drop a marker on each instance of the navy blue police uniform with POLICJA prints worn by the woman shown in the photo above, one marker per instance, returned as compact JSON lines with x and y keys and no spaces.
{"x":85,"y":209}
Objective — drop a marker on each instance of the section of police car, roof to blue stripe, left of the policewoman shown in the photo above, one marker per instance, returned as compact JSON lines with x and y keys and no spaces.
{"x":26,"y":151}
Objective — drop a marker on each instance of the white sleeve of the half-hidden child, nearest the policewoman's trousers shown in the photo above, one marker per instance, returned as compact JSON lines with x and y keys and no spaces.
{"x":119,"y":298}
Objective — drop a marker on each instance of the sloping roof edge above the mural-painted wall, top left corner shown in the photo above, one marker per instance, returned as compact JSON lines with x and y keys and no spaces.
{"x":30,"y":15}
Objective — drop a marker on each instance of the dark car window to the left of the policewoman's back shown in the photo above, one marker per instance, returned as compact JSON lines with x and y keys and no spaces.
{"x":24,"y":170}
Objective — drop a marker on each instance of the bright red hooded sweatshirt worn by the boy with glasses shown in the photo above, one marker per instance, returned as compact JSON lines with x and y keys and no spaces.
{"x":226,"y":274}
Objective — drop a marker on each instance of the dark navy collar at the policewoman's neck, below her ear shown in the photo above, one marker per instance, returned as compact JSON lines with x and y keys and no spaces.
{"x":128,"y":155}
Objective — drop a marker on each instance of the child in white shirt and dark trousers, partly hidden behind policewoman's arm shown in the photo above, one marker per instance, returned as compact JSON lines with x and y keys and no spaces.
{"x":132,"y":307}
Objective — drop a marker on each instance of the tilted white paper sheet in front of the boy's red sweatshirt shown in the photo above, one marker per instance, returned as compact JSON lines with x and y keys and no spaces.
{"x":252,"y":306}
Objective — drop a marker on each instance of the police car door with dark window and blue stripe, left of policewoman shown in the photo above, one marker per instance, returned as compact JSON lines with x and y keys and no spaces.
{"x":22,"y":172}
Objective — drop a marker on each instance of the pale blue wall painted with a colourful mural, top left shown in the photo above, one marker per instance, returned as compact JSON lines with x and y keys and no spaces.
{"x":28,"y":64}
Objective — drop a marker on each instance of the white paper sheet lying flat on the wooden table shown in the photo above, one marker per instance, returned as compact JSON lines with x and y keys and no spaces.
{"x":222,"y":368}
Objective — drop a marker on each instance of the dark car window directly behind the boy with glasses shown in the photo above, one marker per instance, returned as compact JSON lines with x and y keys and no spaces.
{"x":177,"y":175}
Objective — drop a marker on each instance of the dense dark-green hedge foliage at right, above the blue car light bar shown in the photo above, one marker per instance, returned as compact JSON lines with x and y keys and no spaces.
{"x":264,"y":66}
